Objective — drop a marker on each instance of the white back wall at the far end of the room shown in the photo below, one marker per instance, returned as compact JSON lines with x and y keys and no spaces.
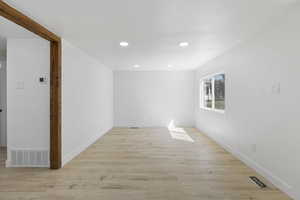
{"x":153,"y":98}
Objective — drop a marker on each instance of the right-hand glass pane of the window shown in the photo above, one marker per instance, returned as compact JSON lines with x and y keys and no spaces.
{"x":220,"y":92}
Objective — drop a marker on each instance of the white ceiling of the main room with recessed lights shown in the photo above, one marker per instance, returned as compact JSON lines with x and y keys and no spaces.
{"x":154,"y":28}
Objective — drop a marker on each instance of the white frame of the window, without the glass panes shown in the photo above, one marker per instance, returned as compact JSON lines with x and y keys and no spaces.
{"x":201,"y":98}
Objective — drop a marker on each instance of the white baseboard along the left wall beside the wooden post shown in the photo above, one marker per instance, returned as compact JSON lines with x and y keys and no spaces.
{"x":81,"y":148}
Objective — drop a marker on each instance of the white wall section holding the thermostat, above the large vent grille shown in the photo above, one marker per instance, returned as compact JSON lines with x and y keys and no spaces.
{"x":28,"y":104}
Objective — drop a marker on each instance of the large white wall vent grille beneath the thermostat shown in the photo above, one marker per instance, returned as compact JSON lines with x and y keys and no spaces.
{"x":29,"y":158}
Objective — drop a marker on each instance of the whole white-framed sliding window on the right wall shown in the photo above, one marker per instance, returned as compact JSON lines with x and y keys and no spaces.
{"x":212,"y":92}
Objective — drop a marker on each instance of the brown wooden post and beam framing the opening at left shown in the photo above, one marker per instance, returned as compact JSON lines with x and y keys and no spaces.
{"x":55,"y":45}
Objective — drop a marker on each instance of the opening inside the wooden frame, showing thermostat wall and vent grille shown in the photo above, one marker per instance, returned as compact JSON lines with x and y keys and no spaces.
{"x":24,"y":97}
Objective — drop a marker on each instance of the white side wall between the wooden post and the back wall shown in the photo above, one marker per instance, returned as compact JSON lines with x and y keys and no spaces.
{"x":87,"y":101}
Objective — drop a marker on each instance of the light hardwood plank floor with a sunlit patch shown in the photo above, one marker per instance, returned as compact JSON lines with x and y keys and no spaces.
{"x":138,"y":164}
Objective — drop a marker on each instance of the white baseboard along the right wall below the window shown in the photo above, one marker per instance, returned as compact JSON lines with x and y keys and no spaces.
{"x":275,"y":180}
